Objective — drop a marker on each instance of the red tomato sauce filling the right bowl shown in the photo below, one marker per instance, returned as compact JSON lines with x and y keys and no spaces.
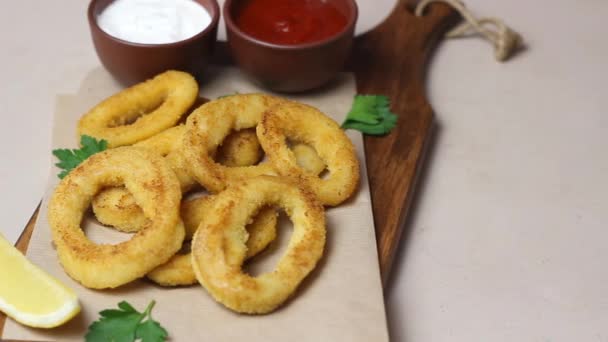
{"x":290,"y":22}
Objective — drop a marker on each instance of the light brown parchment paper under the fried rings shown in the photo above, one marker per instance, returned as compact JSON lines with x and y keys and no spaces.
{"x":340,"y":301}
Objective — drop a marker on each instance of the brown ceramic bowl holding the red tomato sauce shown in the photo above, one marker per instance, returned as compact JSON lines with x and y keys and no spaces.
{"x":290,"y":68}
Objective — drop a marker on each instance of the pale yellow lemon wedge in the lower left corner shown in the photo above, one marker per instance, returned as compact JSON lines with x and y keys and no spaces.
{"x":29,"y":295}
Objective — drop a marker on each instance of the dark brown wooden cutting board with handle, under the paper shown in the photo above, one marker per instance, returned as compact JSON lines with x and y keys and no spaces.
{"x":389,"y":60}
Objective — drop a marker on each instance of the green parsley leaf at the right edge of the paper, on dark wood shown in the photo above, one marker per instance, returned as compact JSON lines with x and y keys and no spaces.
{"x":371,"y":114}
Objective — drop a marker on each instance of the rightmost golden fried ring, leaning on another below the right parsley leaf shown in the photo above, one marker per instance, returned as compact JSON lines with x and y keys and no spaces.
{"x":303,"y":123}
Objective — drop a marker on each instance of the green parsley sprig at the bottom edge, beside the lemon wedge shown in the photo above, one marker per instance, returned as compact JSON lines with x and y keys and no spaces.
{"x":126,"y":325}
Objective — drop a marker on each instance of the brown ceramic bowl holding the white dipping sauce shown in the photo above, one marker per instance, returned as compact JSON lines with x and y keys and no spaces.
{"x":131,"y":63}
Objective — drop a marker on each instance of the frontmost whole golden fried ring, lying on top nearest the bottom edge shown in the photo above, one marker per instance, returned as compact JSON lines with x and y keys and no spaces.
{"x":219,"y":249}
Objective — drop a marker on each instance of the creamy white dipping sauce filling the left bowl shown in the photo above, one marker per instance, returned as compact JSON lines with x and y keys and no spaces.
{"x":154,"y":21}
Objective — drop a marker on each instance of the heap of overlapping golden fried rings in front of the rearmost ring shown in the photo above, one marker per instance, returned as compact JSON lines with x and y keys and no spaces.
{"x":243,"y":192}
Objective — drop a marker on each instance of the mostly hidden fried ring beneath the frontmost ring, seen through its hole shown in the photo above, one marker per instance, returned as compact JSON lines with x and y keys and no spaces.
{"x":178,"y":270}
